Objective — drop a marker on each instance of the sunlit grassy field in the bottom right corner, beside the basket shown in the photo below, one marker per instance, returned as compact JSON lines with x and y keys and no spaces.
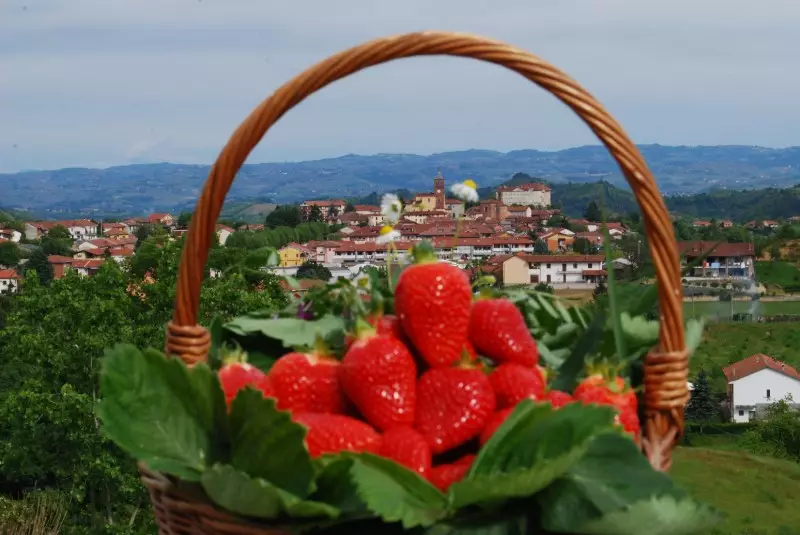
{"x":756,"y":494}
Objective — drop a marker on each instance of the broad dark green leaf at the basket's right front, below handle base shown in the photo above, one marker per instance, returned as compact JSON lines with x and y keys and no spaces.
{"x":611,"y":476}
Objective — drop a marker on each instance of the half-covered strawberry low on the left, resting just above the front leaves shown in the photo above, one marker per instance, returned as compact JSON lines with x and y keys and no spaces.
{"x":332,"y":433}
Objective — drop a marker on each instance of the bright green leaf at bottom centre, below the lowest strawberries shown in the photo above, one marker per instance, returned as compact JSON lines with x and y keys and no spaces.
{"x":395,"y":493}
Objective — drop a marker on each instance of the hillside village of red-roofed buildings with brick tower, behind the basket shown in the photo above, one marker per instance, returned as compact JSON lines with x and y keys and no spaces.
{"x":517,"y":236}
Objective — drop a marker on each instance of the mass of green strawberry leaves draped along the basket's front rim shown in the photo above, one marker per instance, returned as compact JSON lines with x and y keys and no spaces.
{"x":567,"y":471}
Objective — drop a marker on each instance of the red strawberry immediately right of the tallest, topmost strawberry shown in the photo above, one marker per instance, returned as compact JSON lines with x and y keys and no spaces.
{"x":497,"y":329}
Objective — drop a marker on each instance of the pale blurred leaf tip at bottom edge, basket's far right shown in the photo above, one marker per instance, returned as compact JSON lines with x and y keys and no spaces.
{"x":663,"y":516}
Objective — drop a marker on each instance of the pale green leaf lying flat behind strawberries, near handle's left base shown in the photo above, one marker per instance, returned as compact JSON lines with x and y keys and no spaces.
{"x":292,"y":332}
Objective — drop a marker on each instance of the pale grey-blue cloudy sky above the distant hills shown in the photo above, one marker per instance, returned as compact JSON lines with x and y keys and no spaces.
{"x":96,"y":83}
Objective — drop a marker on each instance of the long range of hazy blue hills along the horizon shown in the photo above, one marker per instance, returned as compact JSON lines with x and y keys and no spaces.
{"x":137,"y":189}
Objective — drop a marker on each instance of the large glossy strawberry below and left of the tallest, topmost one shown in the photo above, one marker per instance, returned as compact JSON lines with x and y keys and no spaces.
{"x":379,"y":375}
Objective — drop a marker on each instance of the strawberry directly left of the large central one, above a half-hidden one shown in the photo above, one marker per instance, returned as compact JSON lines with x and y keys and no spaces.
{"x":307,"y":382}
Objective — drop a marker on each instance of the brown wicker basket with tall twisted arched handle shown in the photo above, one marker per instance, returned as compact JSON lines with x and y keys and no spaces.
{"x":178,"y":510}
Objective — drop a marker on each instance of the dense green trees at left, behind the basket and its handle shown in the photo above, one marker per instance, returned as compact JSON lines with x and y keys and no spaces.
{"x":50,"y":353}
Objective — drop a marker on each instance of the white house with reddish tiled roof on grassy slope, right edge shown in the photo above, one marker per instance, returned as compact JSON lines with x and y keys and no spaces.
{"x":757,"y":381}
